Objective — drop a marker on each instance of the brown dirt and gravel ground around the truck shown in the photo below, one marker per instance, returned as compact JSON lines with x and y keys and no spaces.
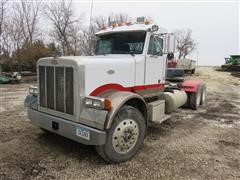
{"x":203,"y":144}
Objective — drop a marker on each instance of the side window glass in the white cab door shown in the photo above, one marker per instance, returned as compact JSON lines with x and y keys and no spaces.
{"x":155,"y":46}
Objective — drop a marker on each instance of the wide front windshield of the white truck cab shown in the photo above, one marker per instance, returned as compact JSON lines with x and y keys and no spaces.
{"x":121,"y":43}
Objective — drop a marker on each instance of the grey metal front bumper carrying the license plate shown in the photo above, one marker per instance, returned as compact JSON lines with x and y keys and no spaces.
{"x":66,"y":128}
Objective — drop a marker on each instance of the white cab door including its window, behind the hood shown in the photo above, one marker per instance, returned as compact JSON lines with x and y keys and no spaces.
{"x":155,"y":62}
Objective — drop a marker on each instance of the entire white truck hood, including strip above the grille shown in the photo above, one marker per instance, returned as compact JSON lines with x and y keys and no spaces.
{"x":94,"y":72}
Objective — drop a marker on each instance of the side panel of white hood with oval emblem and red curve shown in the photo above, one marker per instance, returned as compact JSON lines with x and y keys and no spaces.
{"x":104,"y":71}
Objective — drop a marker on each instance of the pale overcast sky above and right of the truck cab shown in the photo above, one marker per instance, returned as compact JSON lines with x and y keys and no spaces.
{"x":215,"y":25}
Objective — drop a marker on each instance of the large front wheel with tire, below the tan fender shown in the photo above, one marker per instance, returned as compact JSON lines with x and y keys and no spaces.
{"x":125,"y":137}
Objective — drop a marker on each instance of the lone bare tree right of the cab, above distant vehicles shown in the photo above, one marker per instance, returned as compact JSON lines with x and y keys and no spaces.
{"x":185,"y":44}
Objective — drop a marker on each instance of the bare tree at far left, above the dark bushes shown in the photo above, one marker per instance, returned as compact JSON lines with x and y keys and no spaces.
{"x":20,"y":26}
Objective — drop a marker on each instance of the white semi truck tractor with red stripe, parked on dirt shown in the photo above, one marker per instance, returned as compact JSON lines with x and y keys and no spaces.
{"x":108,"y":100}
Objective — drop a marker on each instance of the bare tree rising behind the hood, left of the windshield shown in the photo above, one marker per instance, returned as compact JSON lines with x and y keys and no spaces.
{"x":64,"y":23}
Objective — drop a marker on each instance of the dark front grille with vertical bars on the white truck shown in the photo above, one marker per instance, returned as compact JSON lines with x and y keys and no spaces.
{"x":56,"y":88}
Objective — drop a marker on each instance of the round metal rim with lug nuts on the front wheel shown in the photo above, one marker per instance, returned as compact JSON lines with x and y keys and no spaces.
{"x":125,"y":136}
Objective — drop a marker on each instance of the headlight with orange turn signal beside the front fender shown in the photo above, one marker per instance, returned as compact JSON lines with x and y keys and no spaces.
{"x":98,"y":103}
